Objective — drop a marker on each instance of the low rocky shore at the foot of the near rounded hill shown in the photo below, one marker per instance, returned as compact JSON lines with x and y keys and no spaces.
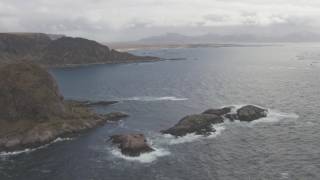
{"x":21,"y":135}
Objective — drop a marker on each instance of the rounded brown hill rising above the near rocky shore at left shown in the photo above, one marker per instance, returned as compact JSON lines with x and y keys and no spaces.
{"x":28,"y":92}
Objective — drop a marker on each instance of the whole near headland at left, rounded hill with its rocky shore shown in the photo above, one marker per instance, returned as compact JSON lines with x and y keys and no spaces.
{"x":33,"y":112}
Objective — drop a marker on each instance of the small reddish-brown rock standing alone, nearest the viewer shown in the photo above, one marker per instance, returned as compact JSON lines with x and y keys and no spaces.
{"x":131,"y":144}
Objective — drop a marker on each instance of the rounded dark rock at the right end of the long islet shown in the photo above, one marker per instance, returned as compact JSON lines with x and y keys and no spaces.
{"x":250,"y":113}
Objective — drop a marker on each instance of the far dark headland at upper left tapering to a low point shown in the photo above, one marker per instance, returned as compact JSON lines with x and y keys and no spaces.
{"x":42,"y":49}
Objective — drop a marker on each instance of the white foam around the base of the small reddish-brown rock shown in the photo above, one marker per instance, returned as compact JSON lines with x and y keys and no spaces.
{"x":143,"y":158}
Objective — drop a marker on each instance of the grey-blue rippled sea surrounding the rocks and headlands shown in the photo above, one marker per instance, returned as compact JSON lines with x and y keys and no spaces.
{"x":285,"y":145}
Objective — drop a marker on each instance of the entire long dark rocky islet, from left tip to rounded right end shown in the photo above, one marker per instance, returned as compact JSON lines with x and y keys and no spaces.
{"x":201,"y":124}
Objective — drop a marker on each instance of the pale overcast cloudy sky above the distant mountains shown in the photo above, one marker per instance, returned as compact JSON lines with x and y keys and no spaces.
{"x":121,"y":20}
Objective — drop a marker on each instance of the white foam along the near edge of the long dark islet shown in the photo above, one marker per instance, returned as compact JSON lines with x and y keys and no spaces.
{"x":171,"y":140}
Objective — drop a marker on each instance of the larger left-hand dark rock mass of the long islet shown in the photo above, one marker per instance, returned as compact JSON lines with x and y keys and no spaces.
{"x":199,"y":123}
